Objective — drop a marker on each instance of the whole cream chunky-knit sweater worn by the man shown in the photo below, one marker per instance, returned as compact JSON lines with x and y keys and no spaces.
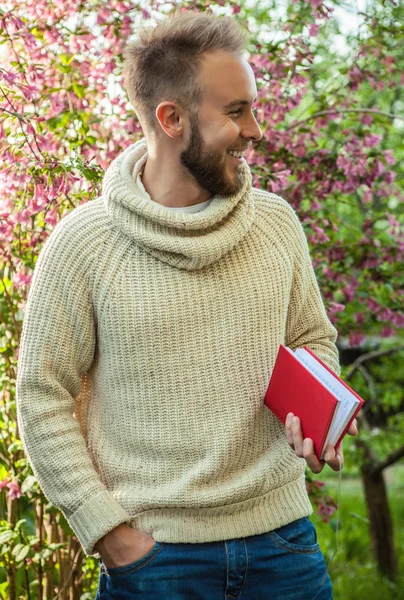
{"x":148,"y":342}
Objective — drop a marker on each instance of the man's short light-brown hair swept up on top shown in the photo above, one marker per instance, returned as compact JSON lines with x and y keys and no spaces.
{"x":163,"y":64}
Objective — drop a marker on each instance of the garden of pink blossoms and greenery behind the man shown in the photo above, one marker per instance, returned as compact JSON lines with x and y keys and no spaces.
{"x":330,"y":103}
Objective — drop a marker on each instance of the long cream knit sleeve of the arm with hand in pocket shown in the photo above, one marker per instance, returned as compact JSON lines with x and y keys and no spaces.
{"x":57,"y":347}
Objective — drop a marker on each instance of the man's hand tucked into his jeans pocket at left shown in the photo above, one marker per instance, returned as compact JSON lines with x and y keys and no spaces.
{"x":123,"y":545}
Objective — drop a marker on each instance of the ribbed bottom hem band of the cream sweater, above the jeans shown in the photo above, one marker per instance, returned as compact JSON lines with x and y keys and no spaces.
{"x":251,"y":517}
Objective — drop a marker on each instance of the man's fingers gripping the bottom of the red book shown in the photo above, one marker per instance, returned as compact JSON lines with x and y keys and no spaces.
{"x":304,"y":448}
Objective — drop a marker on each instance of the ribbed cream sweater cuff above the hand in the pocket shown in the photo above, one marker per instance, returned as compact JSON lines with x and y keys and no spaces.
{"x":95,"y":518}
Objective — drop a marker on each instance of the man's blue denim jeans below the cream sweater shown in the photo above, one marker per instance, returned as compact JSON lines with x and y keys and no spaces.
{"x":283,"y":564}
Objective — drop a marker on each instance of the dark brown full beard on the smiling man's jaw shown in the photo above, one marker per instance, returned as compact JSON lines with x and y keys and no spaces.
{"x":208,"y":167}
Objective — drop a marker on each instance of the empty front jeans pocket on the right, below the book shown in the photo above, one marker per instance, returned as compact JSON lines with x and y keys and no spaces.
{"x":299,"y":537}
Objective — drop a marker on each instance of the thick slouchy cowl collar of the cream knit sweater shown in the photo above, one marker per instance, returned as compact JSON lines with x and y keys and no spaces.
{"x":184,"y":240}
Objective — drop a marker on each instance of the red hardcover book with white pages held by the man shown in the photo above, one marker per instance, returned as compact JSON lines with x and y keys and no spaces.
{"x":302,"y":384}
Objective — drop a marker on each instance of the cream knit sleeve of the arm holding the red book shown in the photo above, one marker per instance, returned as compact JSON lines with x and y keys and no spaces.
{"x":307,"y":322}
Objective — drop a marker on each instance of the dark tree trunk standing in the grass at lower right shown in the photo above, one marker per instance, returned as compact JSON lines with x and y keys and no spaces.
{"x":381,"y":527}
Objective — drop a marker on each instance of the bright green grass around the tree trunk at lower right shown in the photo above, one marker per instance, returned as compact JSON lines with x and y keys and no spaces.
{"x":353,"y":571}
